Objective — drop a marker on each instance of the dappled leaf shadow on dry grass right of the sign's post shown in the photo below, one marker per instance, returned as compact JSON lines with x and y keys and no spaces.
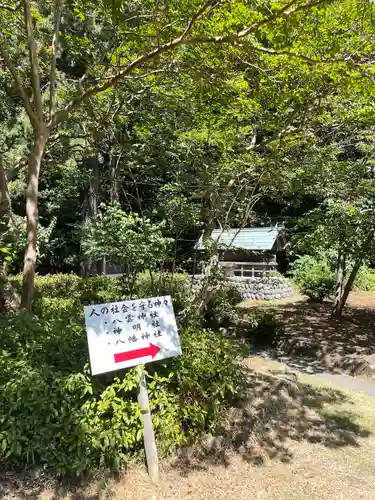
{"x":281,"y":411}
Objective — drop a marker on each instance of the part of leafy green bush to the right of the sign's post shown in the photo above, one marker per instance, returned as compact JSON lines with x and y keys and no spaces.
{"x":205,"y":379}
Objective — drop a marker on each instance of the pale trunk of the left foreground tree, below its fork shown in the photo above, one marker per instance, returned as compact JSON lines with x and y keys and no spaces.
{"x":29,"y":267}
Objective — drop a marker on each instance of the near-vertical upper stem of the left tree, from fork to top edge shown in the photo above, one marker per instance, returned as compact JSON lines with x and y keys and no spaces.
{"x":33,"y":58}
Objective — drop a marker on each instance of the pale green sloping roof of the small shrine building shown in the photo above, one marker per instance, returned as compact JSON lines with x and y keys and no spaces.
{"x":255,"y":238}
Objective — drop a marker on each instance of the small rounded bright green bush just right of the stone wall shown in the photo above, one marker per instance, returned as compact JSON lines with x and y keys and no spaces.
{"x":313,"y":277}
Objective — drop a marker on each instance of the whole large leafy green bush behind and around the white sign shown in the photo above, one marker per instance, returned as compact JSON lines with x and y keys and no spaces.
{"x":54,"y":414}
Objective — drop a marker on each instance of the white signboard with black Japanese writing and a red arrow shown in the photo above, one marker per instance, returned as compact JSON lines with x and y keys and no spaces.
{"x":124,"y":334}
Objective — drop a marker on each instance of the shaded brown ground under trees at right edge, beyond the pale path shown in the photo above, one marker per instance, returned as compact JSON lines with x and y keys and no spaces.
{"x":314,"y":342}
